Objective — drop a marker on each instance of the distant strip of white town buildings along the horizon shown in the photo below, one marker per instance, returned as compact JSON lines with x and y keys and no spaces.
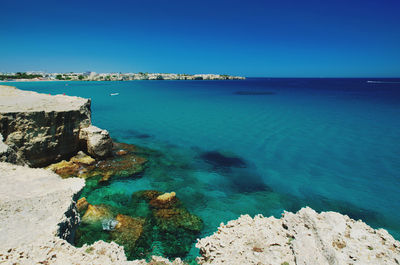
{"x":93,"y":76}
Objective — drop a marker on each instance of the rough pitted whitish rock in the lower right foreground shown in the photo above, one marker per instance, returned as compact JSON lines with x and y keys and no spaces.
{"x":302,"y":238}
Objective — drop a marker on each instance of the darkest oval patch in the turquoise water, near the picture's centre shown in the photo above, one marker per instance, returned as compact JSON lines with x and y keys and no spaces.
{"x":220,"y":160}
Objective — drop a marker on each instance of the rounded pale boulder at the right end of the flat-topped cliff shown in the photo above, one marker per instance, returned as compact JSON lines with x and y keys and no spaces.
{"x":98,"y":142}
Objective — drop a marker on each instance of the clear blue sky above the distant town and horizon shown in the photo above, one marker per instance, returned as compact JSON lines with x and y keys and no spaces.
{"x":260,"y":38}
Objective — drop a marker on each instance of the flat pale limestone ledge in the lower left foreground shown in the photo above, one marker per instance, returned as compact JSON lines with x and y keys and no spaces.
{"x":36,"y":209}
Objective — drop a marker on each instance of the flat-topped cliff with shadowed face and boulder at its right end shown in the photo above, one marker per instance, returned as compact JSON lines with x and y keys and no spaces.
{"x":43,"y":129}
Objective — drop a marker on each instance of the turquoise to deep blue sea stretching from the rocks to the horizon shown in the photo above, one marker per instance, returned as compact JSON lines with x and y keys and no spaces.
{"x":259,"y":145}
